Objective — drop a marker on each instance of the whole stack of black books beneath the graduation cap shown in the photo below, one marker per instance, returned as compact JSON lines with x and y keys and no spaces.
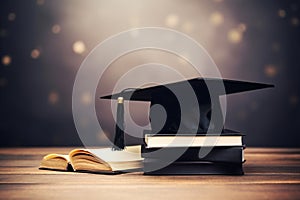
{"x":184,"y":154}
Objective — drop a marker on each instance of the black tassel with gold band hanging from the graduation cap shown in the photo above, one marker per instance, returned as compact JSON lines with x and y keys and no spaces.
{"x":119,"y":142}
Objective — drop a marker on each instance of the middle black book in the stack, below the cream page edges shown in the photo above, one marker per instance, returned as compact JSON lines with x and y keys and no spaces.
{"x":217,"y":154}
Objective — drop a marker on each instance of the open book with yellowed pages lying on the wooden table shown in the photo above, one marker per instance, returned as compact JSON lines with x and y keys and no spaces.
{"x":103,"y":160}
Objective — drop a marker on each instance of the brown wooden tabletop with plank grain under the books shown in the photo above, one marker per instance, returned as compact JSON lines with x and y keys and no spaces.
{"x":270,"y":173}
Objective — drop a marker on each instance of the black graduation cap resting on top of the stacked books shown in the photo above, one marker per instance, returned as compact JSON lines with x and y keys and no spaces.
{"x":180,"y":108}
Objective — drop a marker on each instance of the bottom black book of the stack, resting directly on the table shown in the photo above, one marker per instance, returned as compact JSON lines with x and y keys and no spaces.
{"x":195,"y":168}
